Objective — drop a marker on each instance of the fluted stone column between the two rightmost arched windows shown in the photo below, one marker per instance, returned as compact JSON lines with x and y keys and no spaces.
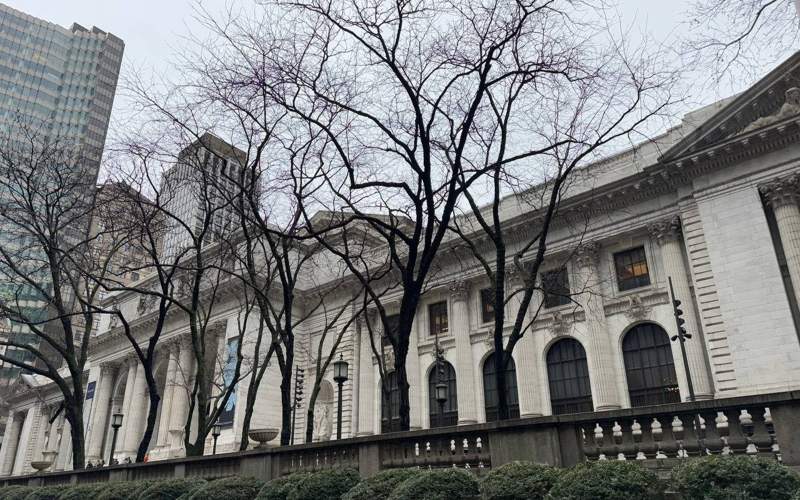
{"x":600,"y":349}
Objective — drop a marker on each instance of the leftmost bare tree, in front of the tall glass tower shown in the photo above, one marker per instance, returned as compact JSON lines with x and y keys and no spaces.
{"x":46,"y":258}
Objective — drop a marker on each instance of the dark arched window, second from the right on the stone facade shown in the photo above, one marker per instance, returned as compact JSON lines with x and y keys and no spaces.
{"x":568,"y":375}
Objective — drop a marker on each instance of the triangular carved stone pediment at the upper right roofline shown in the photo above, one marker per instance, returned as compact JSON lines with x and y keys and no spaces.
{"x":771,"y":103}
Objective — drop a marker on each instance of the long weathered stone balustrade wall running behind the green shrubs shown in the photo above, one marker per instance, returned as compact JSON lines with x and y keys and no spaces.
{"x":658,"y":436}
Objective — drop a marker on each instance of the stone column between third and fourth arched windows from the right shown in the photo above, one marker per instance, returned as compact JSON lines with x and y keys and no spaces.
{"x":459,"y":326}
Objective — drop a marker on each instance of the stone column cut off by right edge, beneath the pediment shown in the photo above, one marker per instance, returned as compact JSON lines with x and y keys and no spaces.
{"x":783,"y":195}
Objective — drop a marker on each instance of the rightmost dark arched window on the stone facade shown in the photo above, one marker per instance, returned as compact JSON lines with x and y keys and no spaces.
{"x":649,"y":366}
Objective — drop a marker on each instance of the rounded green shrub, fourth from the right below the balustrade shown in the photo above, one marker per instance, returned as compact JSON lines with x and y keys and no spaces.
{"x":443,"y":484}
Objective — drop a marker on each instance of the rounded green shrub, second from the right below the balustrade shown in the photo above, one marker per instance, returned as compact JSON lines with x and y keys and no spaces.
{"x":607,"y":480}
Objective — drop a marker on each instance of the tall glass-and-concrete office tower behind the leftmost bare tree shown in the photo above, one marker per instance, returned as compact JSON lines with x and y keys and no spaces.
{"x":59,"y":85}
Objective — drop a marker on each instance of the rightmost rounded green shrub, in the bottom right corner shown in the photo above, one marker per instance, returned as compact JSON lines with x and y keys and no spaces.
{"x":717,"y":477}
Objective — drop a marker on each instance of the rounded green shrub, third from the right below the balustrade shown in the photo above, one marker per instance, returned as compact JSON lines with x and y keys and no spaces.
{"x":519,"y":481}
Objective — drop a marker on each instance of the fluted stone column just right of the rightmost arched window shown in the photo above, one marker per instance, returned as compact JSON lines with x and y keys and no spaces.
{"x":668,"y":235}
